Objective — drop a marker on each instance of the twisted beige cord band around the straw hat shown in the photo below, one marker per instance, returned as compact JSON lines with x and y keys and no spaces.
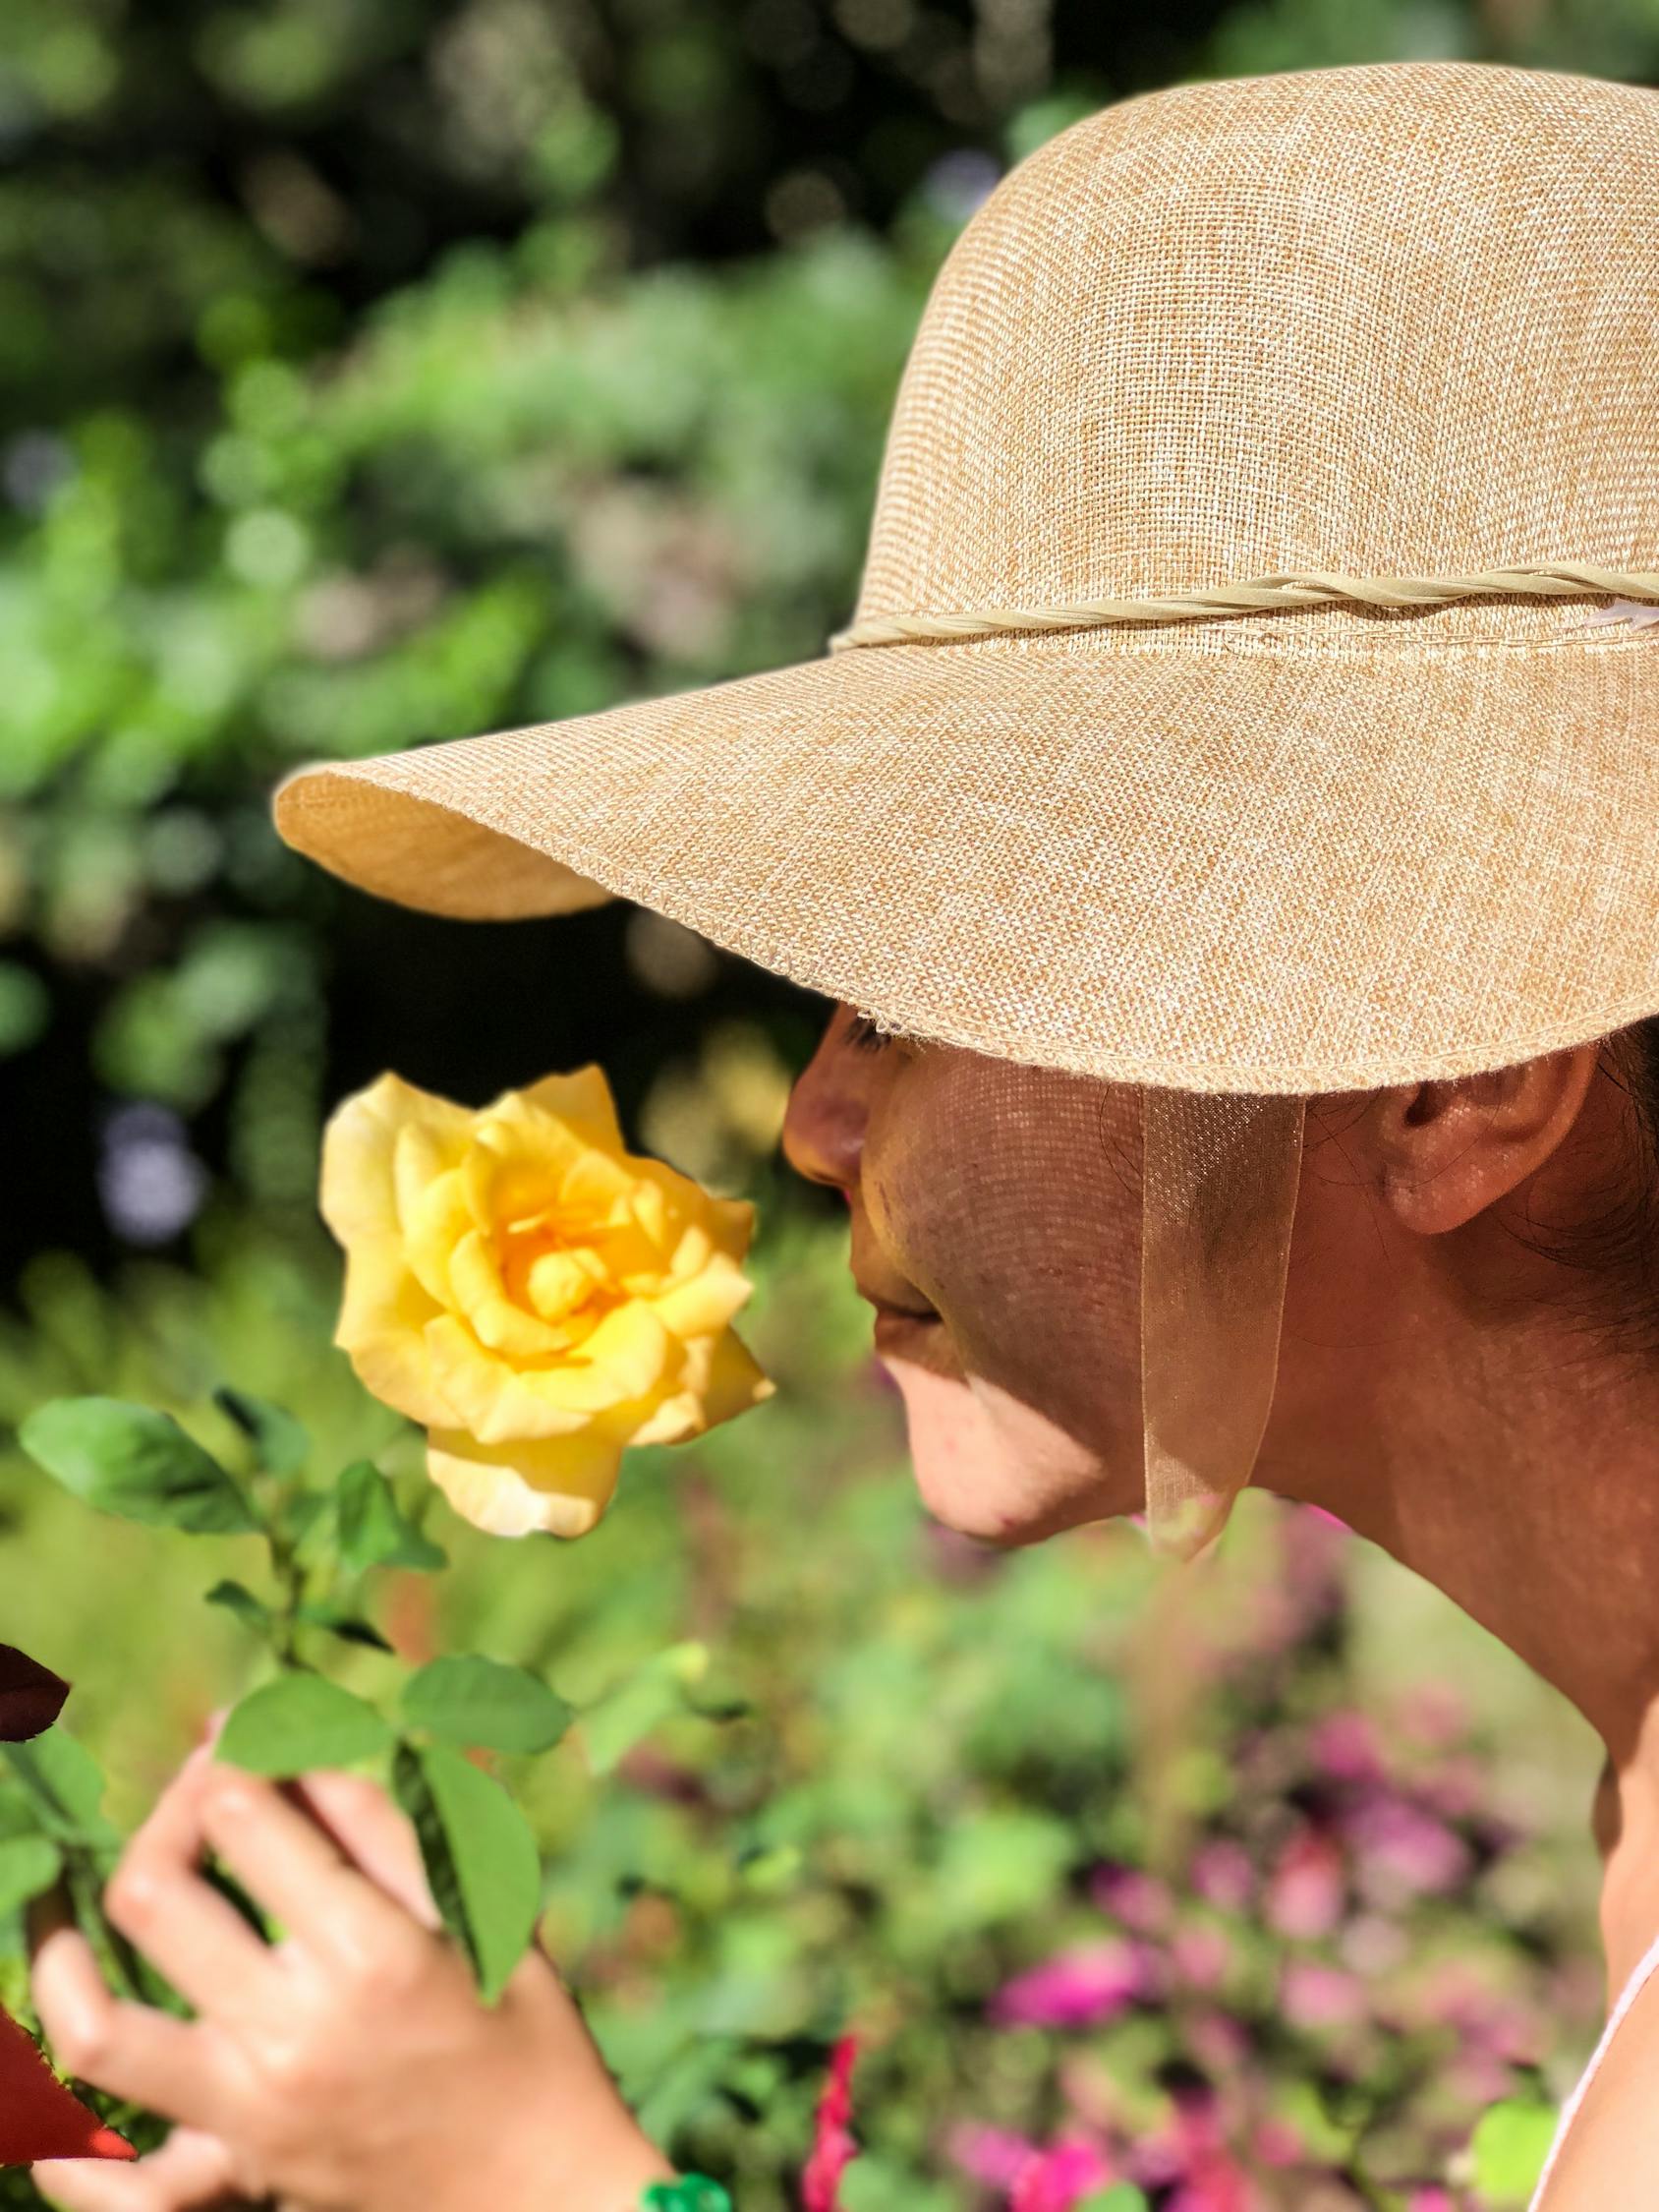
{"x":1556,"y":581}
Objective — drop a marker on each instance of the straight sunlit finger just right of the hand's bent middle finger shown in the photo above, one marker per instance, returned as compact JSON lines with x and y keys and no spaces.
{"x":289,"y":1866}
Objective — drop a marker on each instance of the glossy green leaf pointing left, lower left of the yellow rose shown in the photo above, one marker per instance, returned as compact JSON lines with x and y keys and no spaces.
{"x":138,"y":1463}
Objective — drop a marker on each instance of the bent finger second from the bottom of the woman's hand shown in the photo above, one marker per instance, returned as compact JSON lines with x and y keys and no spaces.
{"x":129,"y":2049}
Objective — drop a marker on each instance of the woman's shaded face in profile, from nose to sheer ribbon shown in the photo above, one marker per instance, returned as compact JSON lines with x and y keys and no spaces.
{"x":997,"y":1233}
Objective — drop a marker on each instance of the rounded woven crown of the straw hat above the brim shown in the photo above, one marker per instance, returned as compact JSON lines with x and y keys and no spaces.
{"x":1392,"y":320}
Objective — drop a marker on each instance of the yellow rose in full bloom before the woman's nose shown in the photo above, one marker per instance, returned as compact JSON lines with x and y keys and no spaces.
{"x":532,"y":1295}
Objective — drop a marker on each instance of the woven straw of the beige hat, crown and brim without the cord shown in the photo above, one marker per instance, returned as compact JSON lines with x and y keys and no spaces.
{"x":1397,"y":320}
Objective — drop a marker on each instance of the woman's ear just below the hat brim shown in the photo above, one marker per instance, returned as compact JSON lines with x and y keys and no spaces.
{"x":1450,"y":1151}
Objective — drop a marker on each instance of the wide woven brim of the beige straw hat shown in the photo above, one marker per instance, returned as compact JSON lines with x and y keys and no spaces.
{"x":1218,"y":870}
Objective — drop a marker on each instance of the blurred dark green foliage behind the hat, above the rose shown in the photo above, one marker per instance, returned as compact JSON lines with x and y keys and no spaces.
{"x":393,"y":371}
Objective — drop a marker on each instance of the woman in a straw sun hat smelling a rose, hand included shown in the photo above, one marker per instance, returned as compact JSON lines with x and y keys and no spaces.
{"x":1308,"y":879}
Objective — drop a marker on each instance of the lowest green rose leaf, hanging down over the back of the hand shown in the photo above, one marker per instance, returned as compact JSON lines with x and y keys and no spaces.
{"x":479,"y":1853}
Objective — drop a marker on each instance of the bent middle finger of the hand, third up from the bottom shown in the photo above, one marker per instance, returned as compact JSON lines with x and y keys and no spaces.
{"x":160,"y":1901}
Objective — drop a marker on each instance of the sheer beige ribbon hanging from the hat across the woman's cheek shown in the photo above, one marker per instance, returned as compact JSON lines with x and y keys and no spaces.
{"x":1220,"y":1185}
